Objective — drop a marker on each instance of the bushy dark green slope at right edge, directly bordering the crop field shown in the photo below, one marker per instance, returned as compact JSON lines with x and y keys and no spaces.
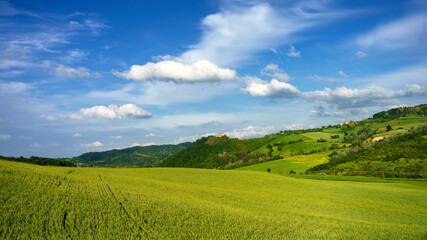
{"x":397,"y":156}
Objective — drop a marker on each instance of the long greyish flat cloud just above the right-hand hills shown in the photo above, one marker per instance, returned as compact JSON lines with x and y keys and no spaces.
{"x":342,"y":97}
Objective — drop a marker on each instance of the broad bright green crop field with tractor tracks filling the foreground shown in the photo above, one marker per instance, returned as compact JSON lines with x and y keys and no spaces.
{"x":41,"y":202}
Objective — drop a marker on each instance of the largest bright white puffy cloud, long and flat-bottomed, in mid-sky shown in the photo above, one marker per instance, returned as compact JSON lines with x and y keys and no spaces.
{"x":199,"y":71}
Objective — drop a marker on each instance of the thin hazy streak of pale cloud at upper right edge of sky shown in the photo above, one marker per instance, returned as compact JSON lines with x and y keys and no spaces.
{"x":404,"y":32}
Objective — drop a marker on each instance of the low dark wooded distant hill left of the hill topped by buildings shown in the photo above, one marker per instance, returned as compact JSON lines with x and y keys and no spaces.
{"x":129,"y":157}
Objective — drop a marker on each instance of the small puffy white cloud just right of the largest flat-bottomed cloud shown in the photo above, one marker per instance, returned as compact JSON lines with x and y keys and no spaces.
{"x":273,"y":89}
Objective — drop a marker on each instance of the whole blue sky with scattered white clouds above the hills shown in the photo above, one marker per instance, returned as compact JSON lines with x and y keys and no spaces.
{"x":83,"y":76}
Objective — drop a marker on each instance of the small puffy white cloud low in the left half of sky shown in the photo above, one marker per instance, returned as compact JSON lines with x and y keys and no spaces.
{"x":113,"y":112}
